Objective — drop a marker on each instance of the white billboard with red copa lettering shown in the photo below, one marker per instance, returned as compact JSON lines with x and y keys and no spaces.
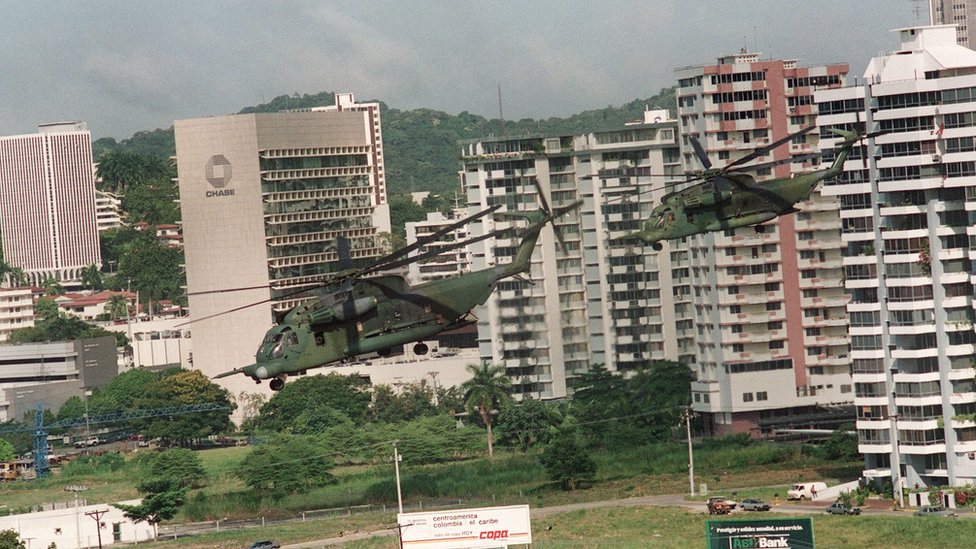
{"x":463,"y":528}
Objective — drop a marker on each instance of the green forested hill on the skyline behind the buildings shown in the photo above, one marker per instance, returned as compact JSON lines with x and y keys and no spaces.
{"x":421,"y":144}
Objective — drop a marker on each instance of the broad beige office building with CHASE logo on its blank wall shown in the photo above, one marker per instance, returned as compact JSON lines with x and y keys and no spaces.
{"x":264,"y":199}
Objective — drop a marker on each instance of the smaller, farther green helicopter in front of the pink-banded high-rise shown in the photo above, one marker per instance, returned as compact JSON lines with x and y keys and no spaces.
{"x":728,"y":199}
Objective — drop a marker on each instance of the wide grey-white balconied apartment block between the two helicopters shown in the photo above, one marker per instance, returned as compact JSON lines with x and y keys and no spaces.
{"x":591,"y":299}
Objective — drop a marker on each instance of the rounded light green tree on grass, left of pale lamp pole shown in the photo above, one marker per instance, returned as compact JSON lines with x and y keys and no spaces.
{"x":287,"y":465}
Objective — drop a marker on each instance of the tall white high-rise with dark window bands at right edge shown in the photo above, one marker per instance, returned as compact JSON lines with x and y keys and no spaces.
{"x":909,"y":220}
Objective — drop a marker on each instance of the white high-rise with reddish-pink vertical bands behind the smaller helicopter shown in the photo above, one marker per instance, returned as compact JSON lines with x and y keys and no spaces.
{"x":769,"y":307}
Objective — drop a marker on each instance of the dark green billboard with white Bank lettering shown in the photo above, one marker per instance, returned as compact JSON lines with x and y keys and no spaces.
{"x":790,"y":533}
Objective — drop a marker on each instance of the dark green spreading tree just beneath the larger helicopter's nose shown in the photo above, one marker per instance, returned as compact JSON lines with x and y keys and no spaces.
{"x":346,"y":394}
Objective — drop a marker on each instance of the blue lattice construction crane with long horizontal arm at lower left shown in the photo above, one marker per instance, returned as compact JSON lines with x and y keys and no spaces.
{"x":40,"y":430}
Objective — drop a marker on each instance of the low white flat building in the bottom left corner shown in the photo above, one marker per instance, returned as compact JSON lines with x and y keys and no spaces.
{"x":77,"y":527}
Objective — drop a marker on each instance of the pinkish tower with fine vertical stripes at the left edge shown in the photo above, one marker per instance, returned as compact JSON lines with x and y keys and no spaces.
{"x":47,"y":202}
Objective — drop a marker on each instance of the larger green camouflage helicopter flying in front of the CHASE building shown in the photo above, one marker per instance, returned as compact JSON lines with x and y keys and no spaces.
{"x":375,"y":314}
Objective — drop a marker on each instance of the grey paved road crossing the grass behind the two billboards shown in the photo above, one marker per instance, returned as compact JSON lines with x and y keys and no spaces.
{"x":671,"y":500}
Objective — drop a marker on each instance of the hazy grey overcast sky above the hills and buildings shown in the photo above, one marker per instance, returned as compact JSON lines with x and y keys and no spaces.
{"x":126,"y":66}
